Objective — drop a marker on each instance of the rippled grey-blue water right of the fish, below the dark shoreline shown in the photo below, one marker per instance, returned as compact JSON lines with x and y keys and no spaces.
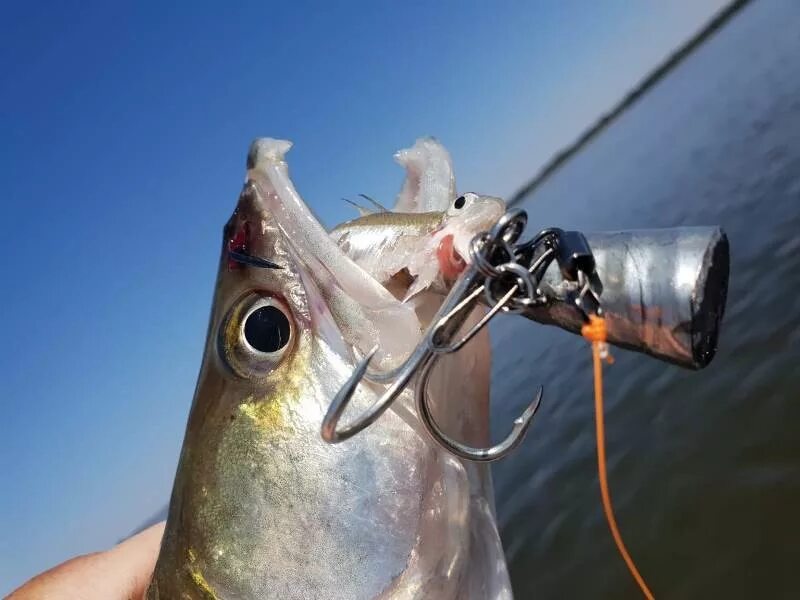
{"x":704,"y":466}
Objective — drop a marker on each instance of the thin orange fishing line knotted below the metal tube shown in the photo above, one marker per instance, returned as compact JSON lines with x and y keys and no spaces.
{"x":595,"y":332}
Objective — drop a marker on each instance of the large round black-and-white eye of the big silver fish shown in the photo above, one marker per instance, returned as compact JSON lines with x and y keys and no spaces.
{"x":256,"y":334}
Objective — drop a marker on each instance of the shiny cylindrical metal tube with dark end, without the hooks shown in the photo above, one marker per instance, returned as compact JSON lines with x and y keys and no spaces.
{"x":663,"y":291}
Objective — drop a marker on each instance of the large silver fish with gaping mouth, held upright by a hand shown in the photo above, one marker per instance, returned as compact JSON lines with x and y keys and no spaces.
{"x":261,"y":506}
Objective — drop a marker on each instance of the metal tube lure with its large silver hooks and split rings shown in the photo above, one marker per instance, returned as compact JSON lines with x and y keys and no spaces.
{"x":663,"y":293}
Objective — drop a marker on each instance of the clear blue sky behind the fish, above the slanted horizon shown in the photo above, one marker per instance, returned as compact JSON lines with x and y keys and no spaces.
{"x":123,"y":133}
